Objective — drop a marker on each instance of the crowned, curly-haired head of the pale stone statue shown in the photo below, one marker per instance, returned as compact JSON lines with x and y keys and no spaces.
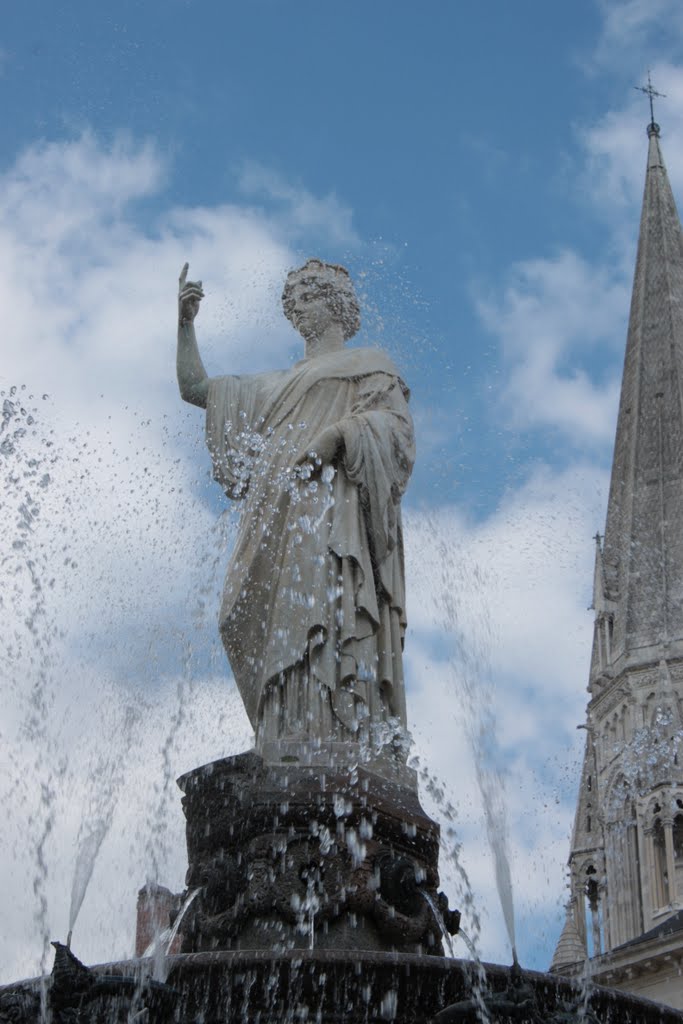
{"x":318,"y":291}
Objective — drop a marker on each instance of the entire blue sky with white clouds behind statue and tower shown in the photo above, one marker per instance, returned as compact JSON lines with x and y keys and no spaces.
{"x":480,"y":169}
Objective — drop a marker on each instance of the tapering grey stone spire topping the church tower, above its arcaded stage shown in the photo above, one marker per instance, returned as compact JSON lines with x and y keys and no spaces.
{"x":643,"y":552}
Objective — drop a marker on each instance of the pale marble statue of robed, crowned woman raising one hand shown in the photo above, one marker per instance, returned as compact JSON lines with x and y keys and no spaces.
{"x":314,"y":611}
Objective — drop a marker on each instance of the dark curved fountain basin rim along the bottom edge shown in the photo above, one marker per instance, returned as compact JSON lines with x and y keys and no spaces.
{"x":329,"y":988}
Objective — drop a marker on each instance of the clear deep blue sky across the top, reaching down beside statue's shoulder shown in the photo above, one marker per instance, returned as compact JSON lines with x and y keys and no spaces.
{"x":443,"y":136}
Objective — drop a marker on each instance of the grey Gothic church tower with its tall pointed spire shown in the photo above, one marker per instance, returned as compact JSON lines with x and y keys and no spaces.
{"x":626,"y":863}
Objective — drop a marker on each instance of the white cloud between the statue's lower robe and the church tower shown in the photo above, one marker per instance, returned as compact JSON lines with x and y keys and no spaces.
{"x":495,"y":593}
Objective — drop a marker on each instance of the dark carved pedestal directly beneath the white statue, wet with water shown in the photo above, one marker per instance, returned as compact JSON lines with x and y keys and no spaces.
{"x":306,"y":857}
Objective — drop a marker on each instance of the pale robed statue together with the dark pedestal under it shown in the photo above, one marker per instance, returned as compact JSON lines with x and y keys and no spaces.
{"x":317,"y":838}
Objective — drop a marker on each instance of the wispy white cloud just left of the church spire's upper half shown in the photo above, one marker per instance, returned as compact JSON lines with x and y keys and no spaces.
{"x":560,"y":317}
